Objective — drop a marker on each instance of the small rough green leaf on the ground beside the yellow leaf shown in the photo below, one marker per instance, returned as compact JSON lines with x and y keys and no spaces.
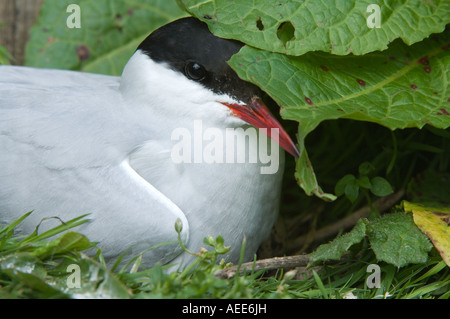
{"x":395,"y":239}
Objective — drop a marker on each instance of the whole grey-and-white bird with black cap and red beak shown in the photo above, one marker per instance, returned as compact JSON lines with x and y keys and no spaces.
{"x":76,"y":143}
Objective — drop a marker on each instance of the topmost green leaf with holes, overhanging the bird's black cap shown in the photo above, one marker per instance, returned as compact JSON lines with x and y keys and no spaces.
{"x":340,"y":27}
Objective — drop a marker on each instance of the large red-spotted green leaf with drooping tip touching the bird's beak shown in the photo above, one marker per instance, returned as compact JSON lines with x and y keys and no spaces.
{"x":397,"y":88}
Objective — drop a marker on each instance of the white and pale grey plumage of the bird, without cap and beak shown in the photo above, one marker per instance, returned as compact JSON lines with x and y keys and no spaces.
{"x":74,"y":143}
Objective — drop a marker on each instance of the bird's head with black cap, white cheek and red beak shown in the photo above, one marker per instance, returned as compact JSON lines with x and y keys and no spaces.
{"x":182,"y":69}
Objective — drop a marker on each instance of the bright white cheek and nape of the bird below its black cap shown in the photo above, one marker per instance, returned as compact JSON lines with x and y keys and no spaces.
{"x":165,"y":101}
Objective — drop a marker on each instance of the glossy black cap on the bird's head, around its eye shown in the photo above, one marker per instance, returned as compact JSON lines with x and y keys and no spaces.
{"x":187,"y":45}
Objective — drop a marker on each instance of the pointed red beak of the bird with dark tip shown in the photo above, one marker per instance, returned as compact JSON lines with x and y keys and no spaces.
{"x":258,"y":115}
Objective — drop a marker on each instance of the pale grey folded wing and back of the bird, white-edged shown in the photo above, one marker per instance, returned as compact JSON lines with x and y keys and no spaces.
{"x":57,"y":161}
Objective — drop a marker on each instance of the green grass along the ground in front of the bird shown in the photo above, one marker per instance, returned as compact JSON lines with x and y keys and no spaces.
{"x":35,"y":267}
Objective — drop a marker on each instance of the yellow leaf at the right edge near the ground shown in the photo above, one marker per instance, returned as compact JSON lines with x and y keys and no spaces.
{"x":433,"y":222}
